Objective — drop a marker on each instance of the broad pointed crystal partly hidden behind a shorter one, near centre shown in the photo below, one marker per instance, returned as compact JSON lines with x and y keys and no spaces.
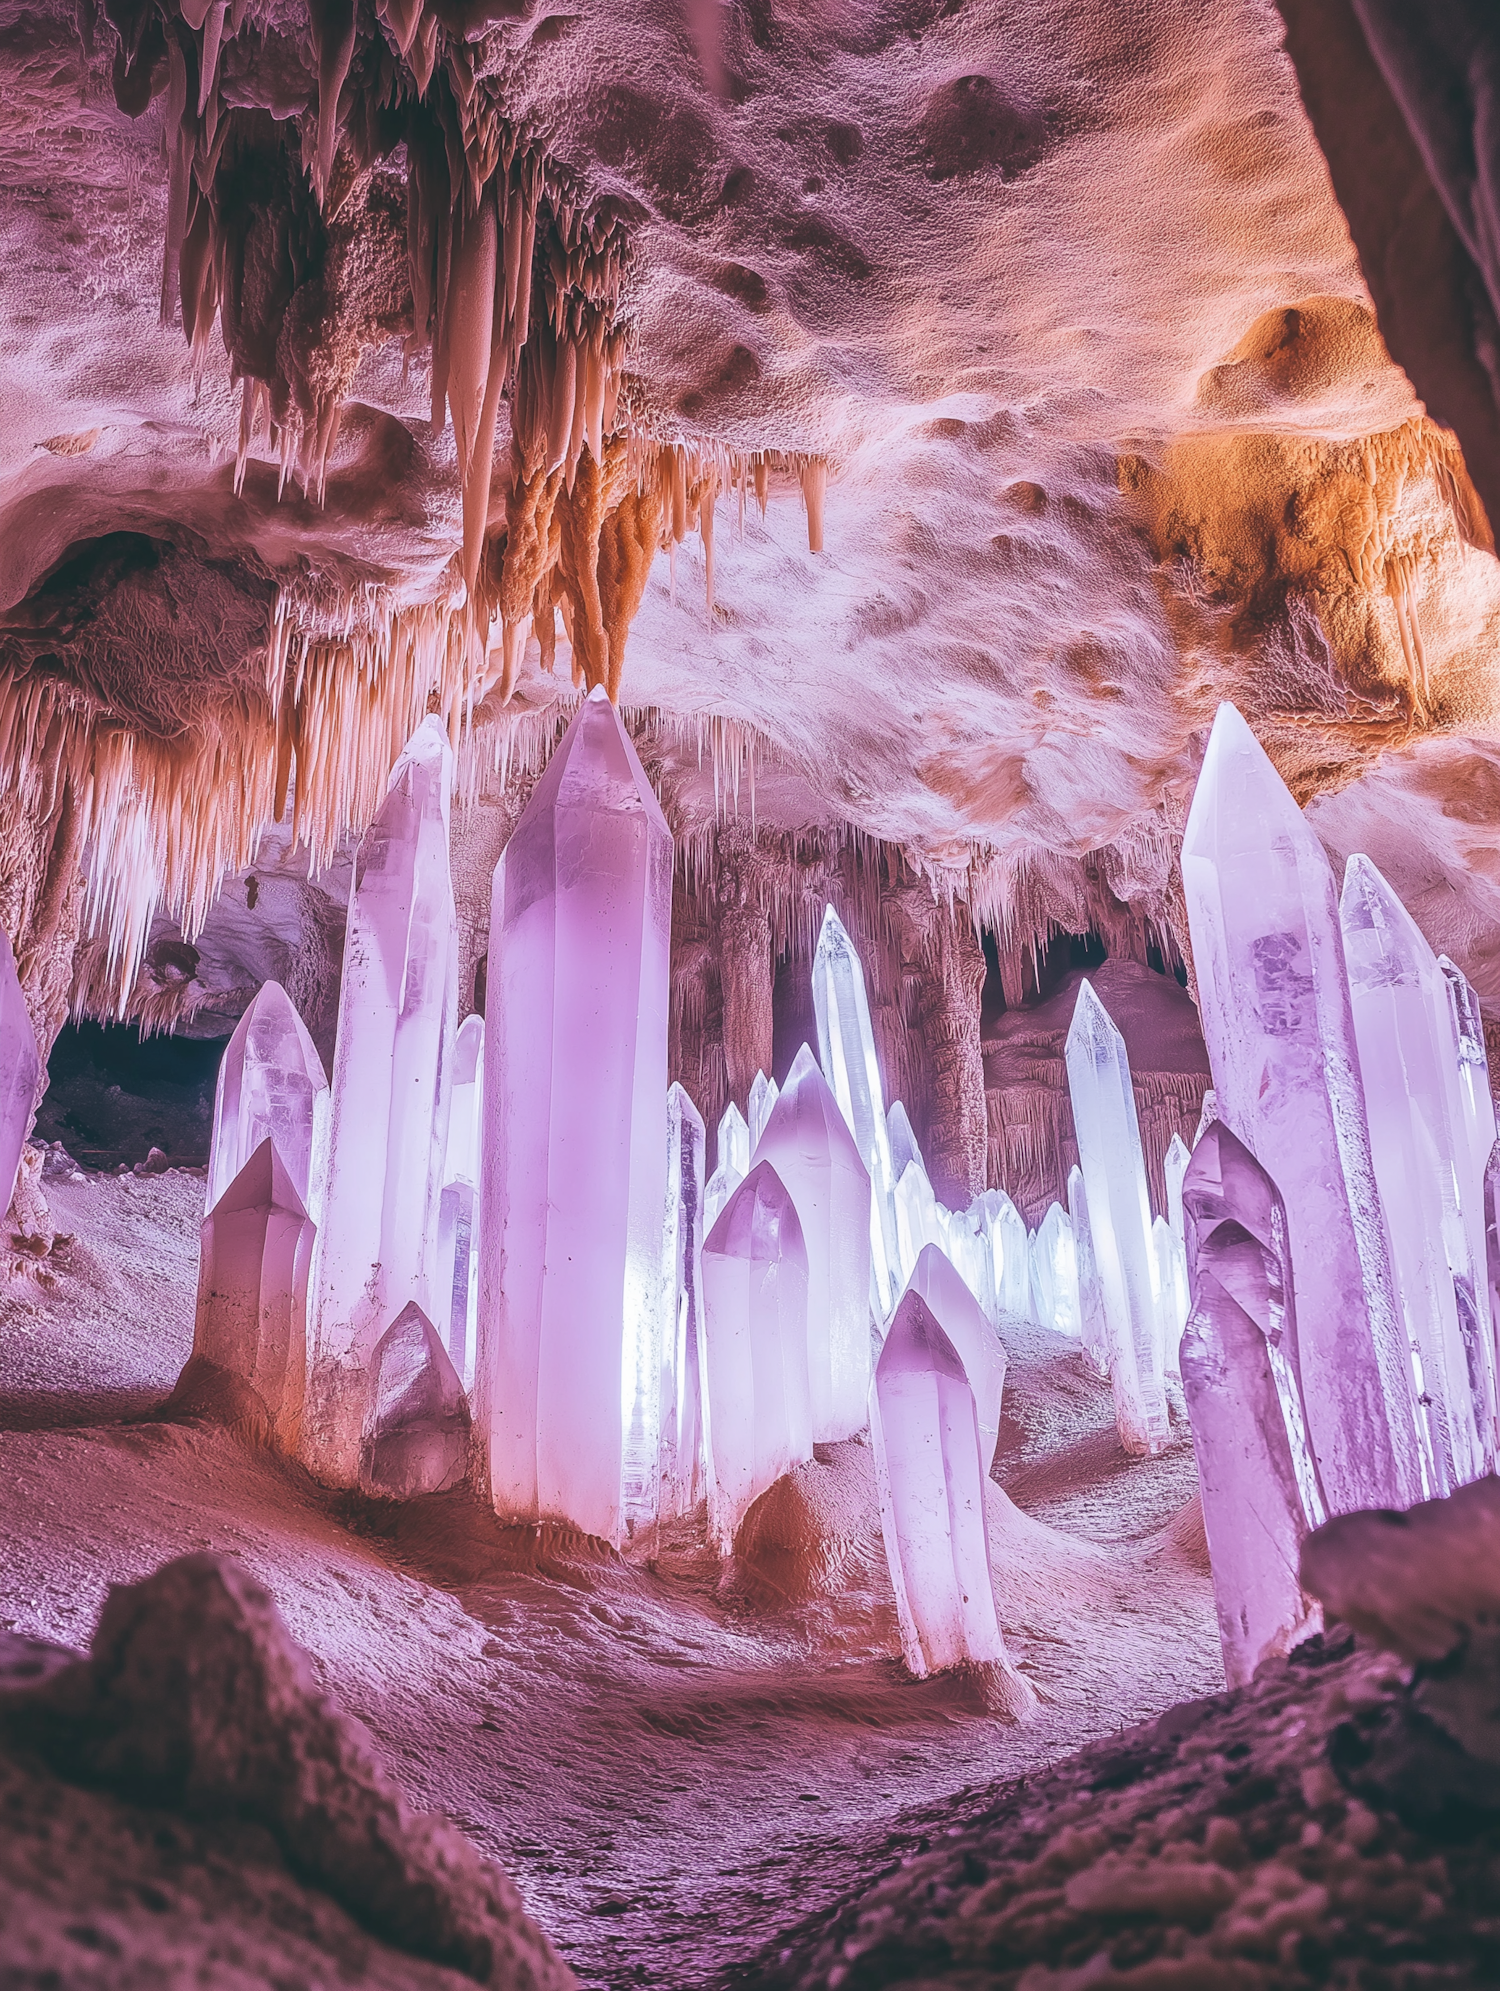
{"x":810,"y":1146}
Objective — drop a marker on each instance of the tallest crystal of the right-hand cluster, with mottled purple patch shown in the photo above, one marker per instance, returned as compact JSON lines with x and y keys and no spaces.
{"x":1276,"y":1012}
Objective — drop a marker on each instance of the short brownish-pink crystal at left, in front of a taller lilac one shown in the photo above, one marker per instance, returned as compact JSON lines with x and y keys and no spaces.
{"x":256,"y":1253}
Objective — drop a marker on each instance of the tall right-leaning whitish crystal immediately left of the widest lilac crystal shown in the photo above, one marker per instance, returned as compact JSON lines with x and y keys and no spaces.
{"x":391,"y":1076}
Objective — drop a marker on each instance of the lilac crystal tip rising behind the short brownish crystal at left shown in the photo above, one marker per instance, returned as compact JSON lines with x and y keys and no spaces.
{"x":272,"y":1084}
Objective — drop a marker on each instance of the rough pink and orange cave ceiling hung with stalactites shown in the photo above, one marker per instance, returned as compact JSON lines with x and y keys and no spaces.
{"x":1059,"y":300}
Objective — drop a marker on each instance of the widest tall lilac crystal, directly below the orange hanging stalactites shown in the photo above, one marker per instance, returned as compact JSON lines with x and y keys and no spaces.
{"x":575,"y":1146}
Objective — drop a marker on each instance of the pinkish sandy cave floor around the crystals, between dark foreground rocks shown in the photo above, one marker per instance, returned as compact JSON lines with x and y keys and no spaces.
{"x":674,"y":1761}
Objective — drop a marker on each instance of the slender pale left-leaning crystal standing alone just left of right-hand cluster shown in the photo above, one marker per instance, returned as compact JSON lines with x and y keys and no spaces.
{"x":1121,"y":1221}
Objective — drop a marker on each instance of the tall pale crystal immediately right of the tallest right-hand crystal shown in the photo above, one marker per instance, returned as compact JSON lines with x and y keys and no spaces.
{"x":1419,"y":1144}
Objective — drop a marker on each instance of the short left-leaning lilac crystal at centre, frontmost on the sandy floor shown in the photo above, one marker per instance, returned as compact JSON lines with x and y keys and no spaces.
{"x":931,"y":1480}
